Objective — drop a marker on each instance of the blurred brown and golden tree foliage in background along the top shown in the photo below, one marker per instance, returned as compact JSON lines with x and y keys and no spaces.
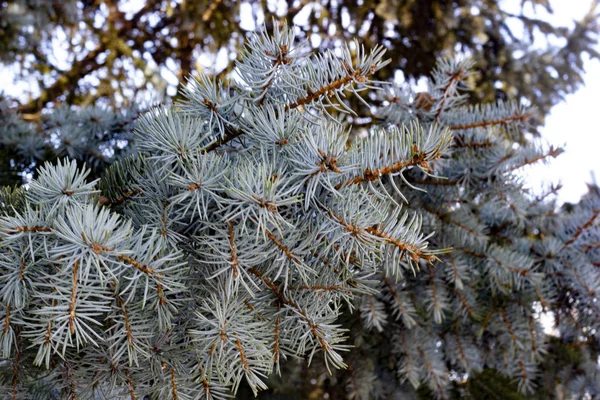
{"x":115,"y":52}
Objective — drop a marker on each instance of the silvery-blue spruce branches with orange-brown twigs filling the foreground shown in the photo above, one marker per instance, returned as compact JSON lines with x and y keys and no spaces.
{"x":254,"y":230}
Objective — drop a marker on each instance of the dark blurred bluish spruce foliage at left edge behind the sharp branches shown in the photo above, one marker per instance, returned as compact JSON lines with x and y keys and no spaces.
{"x":94,"y":135}
